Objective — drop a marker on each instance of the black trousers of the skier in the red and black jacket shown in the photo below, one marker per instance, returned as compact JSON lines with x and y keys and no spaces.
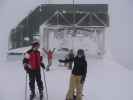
{"x":35,"y":76}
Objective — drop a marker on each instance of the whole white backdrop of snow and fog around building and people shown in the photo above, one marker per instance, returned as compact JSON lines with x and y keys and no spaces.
{"x":107,"y":79}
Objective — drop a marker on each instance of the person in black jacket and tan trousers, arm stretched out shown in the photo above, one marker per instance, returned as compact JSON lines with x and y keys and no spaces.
{"x":78,"y":76}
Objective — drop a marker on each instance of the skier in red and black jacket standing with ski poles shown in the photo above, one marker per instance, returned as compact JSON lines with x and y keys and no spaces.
{"x":32,"y":62}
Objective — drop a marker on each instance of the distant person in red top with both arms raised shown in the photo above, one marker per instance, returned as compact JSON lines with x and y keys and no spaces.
{"x":49,"y":57}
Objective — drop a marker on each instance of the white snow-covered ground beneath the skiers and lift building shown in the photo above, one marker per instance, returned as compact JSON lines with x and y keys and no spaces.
{"x":106,"y":80}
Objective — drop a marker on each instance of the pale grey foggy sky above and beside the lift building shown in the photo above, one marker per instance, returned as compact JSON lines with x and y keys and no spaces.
{"x":118,"y":35}
